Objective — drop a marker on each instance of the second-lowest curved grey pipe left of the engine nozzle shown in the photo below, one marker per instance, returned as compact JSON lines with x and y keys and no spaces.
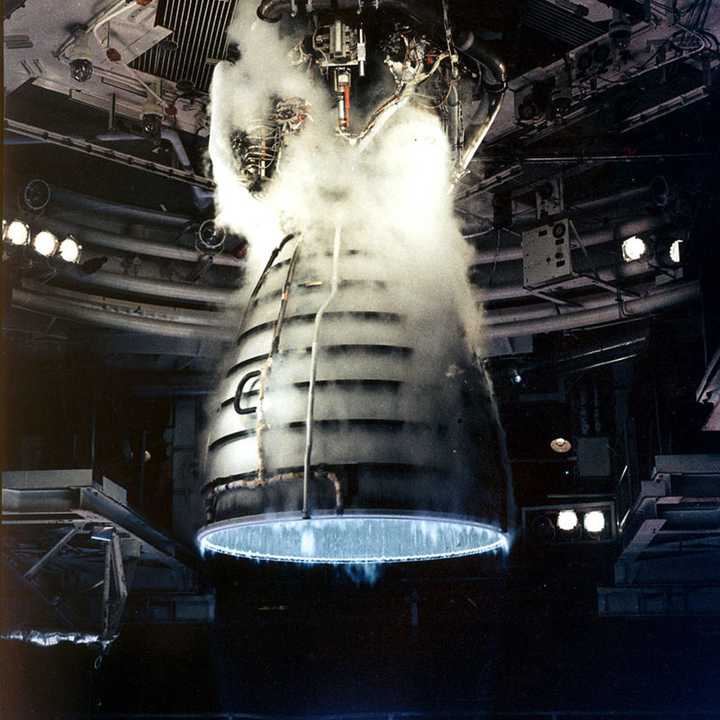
{"x":150,"y":287}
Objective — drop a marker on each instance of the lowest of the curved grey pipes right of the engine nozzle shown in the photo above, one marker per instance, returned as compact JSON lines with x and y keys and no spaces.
{"x":676,"y":294}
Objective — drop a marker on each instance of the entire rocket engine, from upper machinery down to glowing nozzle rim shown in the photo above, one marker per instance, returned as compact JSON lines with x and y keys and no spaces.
{"x":352,"y":423}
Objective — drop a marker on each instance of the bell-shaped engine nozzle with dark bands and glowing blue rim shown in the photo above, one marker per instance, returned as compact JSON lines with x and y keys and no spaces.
{"x":390,"y":423}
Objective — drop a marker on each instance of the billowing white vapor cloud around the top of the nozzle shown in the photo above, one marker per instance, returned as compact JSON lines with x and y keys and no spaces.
{"x":391,"y":191}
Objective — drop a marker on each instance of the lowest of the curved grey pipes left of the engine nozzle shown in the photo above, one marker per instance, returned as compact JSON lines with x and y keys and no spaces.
{"x":113,"y":320}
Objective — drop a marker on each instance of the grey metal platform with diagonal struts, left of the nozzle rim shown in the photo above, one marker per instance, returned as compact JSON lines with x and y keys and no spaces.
{"x":76,"y":545}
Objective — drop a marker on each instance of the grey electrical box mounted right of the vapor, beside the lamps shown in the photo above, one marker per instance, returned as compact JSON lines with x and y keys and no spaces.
{"x":547,"y":258}
